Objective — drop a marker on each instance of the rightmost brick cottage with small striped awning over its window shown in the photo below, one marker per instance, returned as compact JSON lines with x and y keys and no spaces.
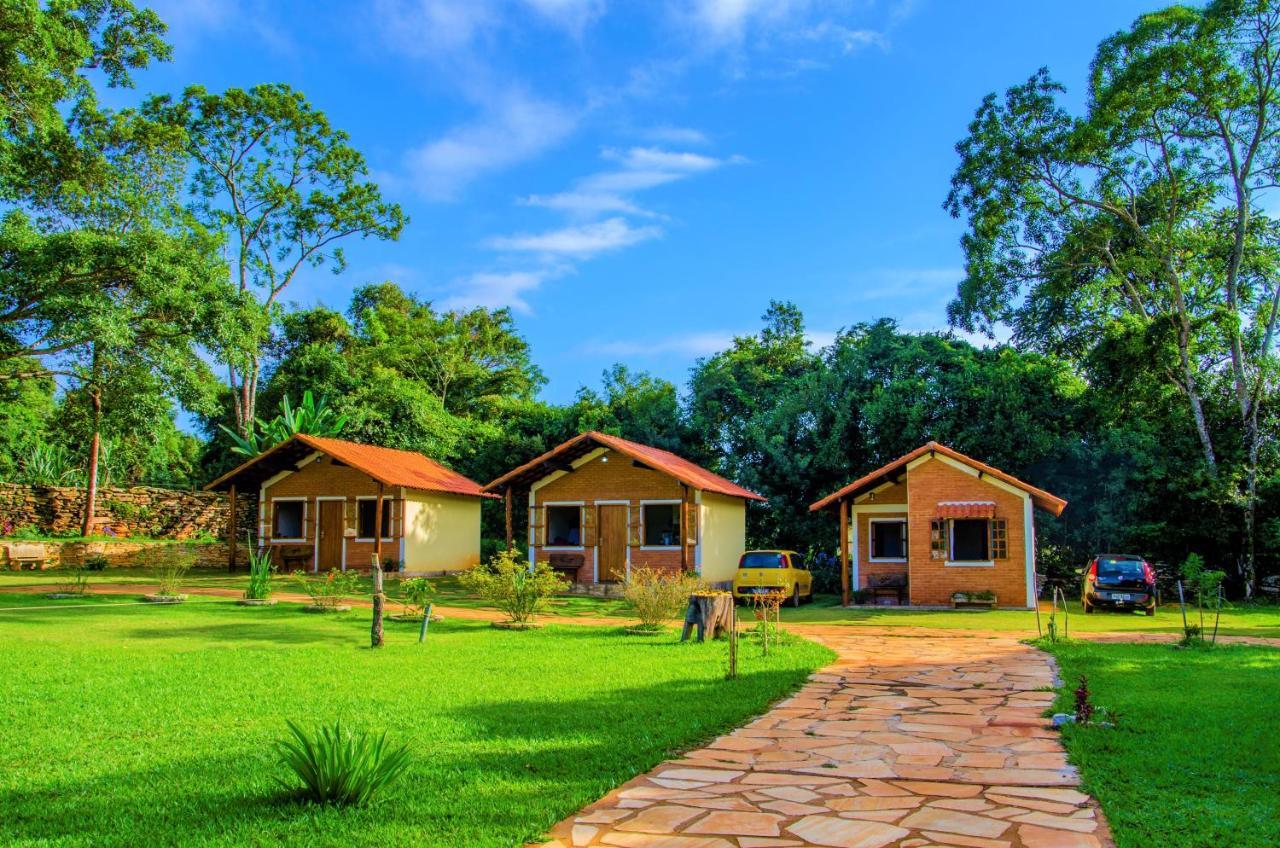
{"x":935,"y":523}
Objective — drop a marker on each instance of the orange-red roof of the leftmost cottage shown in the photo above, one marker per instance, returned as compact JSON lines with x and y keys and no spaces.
{"x":388,"y":466}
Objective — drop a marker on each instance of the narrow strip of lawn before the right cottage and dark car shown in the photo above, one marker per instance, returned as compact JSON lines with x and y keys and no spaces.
{"x":1245,"y":621}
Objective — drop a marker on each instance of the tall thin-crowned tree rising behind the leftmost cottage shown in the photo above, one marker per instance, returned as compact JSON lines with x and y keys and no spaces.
{"x":285,"y":189}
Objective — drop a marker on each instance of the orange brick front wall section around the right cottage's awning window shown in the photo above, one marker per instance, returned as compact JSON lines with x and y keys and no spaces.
{"x":932,"y":581}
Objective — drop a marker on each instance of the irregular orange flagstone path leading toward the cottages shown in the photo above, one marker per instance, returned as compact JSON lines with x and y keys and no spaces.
{"x":908,"y":741}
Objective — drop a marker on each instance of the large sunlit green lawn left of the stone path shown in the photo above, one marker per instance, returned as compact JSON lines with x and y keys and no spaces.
{"x":135,"y":726}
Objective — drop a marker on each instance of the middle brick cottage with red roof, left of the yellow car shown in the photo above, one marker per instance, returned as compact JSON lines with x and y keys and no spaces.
{"x":601,"y":505}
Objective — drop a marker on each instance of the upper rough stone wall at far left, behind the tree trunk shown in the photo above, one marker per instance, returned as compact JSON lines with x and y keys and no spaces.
{"x":162,"y":514}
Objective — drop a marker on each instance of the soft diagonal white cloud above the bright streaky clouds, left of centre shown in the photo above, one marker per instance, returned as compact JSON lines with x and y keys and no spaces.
{"x":518,"y":129}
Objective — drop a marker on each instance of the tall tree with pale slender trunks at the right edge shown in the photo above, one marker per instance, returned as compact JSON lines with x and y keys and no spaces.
{"x":1145,"y":209}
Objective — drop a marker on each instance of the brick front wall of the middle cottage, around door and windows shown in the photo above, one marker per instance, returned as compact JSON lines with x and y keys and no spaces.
{"x":612,"y":477}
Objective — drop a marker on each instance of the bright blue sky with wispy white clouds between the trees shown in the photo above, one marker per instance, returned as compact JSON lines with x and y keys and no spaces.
{"x":637,"y":181}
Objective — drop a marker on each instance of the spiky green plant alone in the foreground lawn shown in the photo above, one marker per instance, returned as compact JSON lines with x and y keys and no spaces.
{"x":339,"y":767}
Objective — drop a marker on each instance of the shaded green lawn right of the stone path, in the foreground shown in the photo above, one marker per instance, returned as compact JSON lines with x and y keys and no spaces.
{"x":1196,"y":760}
